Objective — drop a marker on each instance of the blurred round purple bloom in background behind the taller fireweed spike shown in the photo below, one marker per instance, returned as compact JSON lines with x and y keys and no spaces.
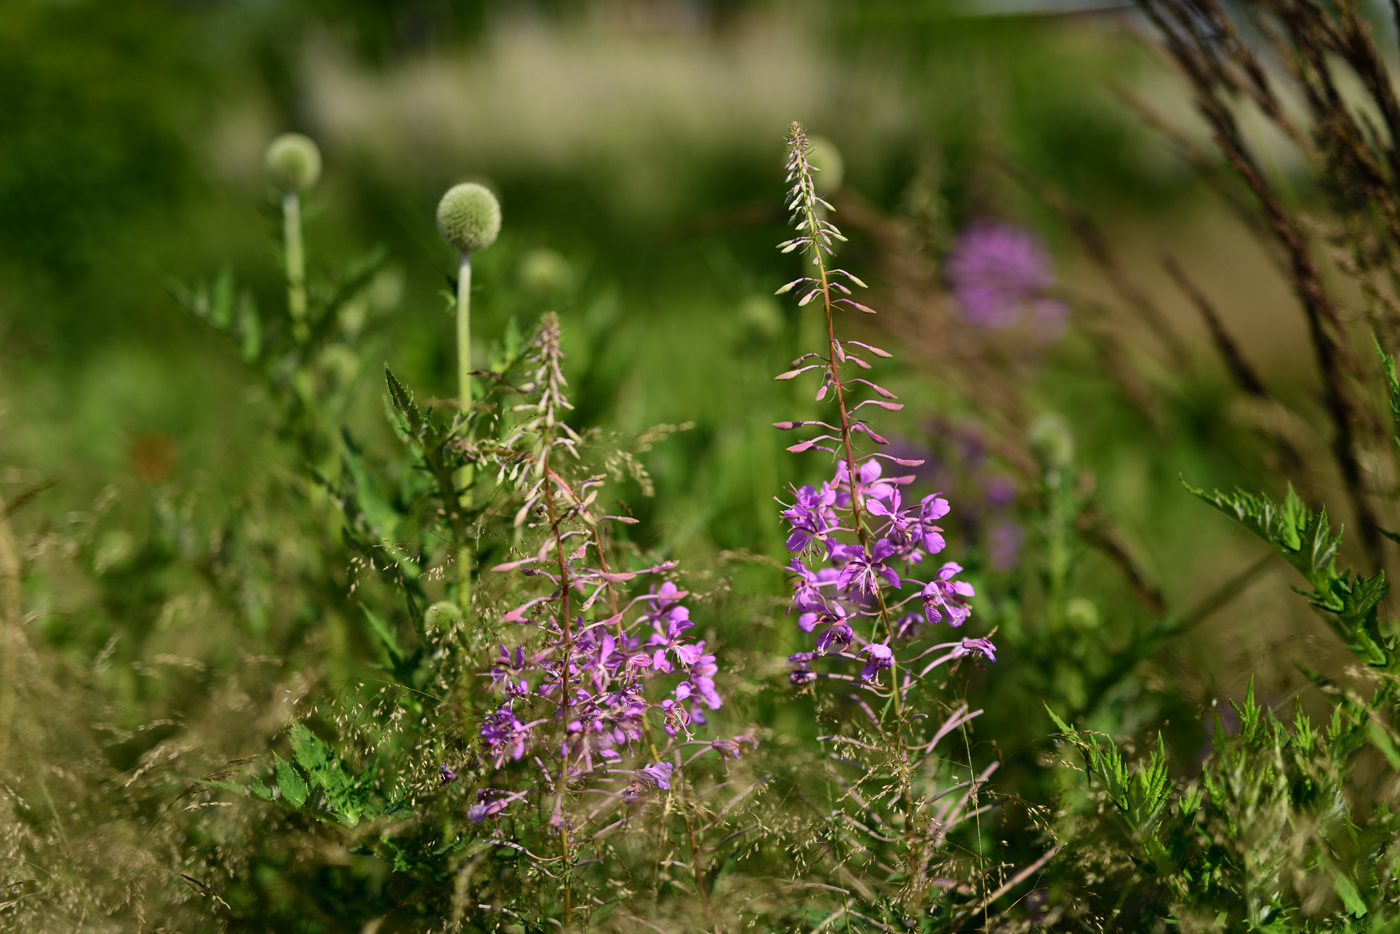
{"x":999,"y":272}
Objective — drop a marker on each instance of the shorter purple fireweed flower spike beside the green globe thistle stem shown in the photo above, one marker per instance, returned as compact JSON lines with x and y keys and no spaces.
{"x":598,"y":676}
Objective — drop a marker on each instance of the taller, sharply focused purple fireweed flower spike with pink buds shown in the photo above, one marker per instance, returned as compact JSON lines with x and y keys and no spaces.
{"x":857,"y":541}
